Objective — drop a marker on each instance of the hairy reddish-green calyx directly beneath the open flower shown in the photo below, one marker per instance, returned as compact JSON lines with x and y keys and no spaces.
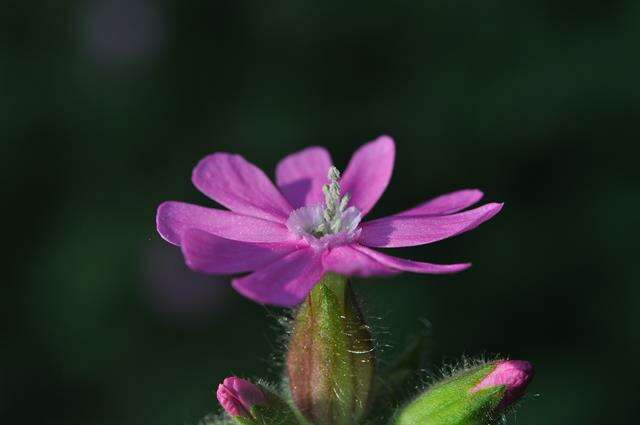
{"x":331,"y":358}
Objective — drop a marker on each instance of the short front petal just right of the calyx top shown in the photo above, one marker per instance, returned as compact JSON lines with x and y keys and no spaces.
{"x":351,"y":262}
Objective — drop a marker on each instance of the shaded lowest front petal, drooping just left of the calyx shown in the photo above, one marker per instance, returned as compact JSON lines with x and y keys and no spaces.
{"x":285,"y":282}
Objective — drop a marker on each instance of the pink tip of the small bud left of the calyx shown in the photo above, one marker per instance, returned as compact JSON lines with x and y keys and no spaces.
{"x":237,"y":396}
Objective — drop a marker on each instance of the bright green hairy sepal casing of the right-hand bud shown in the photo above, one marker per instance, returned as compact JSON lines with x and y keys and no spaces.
{"x":451,"y":402}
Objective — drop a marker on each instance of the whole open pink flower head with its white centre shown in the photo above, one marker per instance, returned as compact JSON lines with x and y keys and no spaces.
{"x":289,"y":236}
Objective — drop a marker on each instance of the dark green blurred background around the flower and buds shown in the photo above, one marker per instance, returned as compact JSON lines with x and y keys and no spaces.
{"x":108,"y":104}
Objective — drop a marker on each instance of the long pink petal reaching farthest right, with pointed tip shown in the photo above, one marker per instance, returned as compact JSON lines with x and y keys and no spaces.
{"x":411,"y":230}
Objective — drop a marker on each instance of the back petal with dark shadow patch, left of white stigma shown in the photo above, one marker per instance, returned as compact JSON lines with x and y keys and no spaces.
{"x":300,"y":176}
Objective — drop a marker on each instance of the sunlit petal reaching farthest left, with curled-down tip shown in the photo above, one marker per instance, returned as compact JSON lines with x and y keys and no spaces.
{"x":174,"y":218}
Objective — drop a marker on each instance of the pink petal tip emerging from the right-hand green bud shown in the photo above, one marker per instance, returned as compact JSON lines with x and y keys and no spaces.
{"x":514,"y":375}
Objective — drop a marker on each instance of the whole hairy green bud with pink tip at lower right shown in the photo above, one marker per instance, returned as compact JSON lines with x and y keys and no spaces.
{"x":474,"y":397}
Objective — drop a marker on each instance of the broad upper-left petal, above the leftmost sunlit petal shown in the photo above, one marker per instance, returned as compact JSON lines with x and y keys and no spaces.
{"x":240,"y":186}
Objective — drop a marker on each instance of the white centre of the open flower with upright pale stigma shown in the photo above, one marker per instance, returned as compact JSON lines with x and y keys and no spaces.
{"x":328,"y":225}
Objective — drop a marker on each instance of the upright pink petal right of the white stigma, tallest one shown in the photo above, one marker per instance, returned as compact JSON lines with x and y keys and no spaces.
{"x":369,"y":172}
